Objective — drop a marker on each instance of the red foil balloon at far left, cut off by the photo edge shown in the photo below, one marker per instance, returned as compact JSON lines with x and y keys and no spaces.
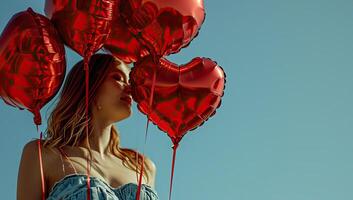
{"x":32,"y":62}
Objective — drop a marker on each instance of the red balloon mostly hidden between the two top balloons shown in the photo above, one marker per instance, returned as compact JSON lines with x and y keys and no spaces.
{"x":122,"y":43}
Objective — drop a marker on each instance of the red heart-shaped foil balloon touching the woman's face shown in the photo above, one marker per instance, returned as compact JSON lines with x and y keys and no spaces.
{"x":184,"y":96}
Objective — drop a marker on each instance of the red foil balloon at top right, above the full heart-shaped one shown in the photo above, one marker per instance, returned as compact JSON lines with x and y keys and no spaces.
{"x":164,"y":26}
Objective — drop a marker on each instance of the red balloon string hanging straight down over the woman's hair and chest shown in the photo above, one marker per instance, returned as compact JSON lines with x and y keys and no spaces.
{"x":86,"y":68}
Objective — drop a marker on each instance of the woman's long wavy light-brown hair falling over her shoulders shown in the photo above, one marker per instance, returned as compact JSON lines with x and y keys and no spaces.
{"x":67,"y":121}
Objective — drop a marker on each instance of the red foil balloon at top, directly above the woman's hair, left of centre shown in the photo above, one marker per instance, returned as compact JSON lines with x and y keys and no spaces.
{"x":84,"y":25}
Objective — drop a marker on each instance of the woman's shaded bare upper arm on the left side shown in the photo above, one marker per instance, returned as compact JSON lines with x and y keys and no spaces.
{"x":29,"y":178}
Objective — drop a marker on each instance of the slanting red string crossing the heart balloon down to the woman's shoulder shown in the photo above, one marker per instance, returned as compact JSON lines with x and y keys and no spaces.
{"x":146,"y":132}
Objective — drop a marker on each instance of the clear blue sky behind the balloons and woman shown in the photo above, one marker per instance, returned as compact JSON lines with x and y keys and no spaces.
{"x":284,"y":129}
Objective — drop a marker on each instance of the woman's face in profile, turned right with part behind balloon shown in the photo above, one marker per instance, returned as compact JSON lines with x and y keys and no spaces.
{"x":114,"y":96}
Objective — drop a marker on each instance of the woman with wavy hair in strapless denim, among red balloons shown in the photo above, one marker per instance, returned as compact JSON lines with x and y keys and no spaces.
{"x":113,"y":172}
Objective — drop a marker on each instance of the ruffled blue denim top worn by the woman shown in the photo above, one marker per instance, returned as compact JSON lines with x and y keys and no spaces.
{"x":74,"y":187}
